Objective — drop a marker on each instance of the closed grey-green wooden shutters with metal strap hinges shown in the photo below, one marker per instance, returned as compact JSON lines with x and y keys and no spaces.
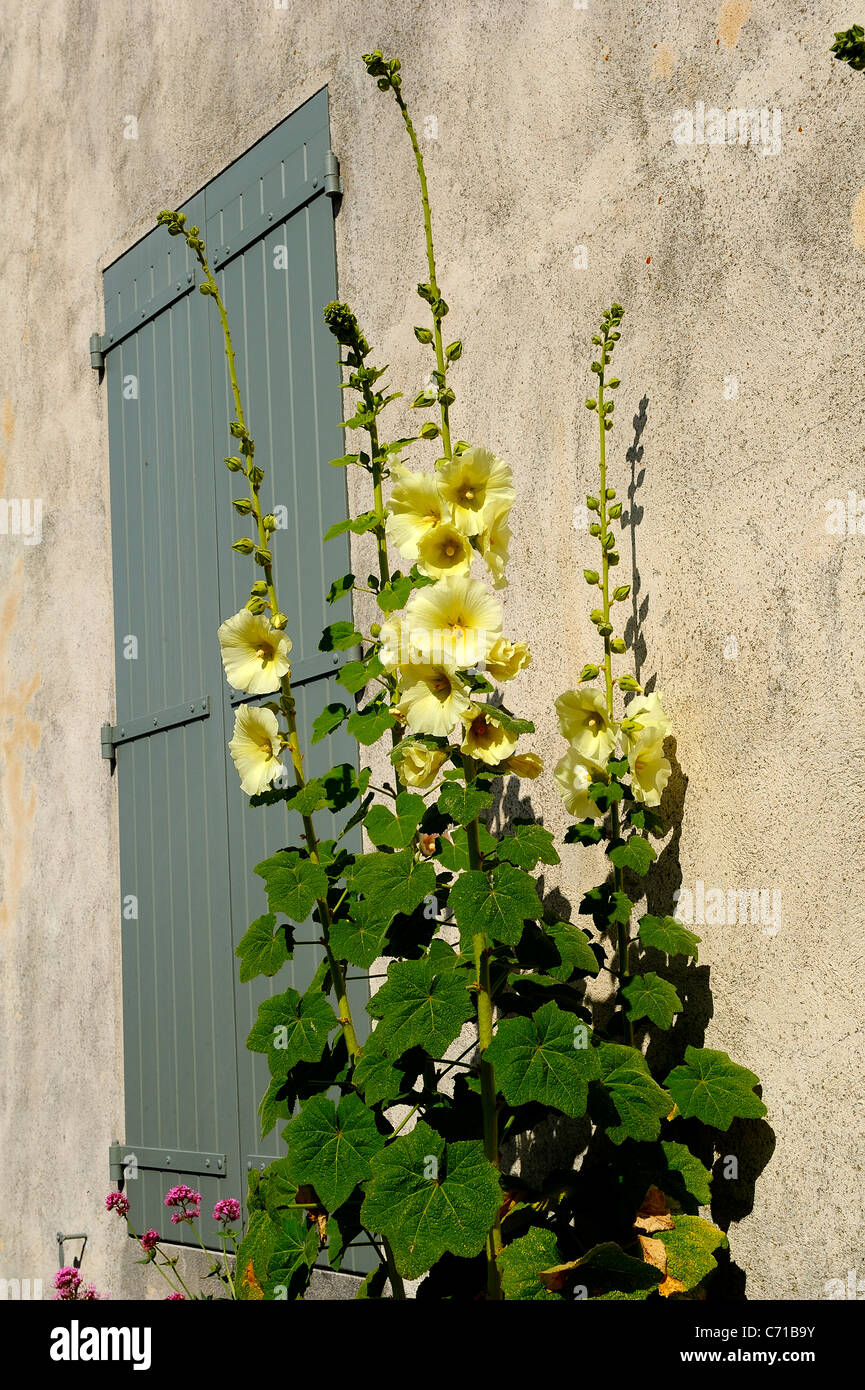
{"x":188,"y":839}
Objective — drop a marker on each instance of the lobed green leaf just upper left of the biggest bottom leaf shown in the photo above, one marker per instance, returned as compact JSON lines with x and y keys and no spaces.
{"x":330,"y":1147}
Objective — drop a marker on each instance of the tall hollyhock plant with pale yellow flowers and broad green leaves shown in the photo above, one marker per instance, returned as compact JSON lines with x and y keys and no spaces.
{"x":385,"y":1146}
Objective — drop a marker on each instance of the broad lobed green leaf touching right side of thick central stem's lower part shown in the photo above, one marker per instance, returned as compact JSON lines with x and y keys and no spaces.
{"x":547,"y":1058}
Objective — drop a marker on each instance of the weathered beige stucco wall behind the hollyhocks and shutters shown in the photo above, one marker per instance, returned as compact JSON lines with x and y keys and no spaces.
{"x":554,"y":133}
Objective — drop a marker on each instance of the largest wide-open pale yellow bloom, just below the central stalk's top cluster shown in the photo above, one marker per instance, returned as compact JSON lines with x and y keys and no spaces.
{"x":457,"y":621}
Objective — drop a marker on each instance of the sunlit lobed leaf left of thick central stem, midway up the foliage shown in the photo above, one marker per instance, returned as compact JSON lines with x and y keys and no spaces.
{"x":422,"y":1004}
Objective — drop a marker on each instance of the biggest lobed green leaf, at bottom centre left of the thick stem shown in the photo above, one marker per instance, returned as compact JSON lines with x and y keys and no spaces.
{"x":429,"y":1197}
